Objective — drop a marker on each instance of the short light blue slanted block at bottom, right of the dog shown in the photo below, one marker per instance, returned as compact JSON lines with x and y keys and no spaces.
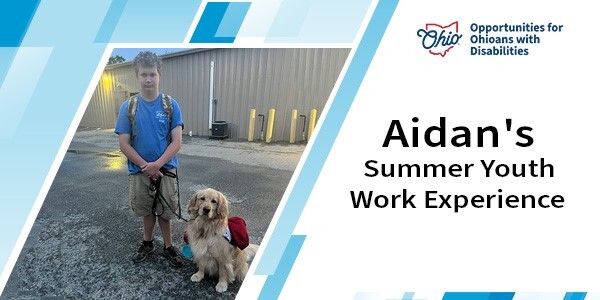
{"x":275,"y":282}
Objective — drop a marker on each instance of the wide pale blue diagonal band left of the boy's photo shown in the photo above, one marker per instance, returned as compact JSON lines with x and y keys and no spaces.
{"x":54,"y":72}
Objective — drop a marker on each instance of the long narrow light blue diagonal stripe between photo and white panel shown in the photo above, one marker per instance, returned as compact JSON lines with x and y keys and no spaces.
{"x":326,"y":137}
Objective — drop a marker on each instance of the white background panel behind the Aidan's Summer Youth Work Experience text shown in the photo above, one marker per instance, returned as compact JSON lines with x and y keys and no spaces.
{"x":553,"y":90}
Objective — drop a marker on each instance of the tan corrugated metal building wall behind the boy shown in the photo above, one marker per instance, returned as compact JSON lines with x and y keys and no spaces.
{"x":244,"y":79}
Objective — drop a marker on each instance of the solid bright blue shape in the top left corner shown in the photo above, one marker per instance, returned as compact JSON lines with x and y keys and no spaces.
{"x":16,"y":17}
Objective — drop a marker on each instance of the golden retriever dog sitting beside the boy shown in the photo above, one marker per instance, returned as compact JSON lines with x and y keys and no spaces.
{"x":213,"y":254}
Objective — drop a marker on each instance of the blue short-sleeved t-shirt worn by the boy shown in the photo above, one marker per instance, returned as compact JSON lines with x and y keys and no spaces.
{"x":152,"y":130}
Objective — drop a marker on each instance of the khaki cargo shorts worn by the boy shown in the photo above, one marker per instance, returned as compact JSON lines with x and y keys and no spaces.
{"x":142,"y":193}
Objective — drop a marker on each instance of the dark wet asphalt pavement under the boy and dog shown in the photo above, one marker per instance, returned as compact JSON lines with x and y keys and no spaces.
{"x":81,"y":243}
